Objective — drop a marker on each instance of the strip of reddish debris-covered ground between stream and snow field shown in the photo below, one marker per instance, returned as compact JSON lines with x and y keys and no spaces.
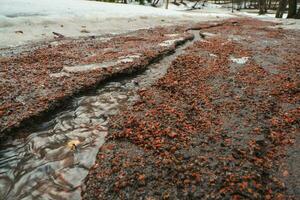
{"x":36,"y":80}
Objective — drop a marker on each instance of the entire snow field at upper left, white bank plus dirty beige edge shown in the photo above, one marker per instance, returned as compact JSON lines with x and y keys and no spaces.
{"x":24,"y":21}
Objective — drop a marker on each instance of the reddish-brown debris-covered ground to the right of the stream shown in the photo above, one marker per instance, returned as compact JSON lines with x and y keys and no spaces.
{"x":223,"y":123}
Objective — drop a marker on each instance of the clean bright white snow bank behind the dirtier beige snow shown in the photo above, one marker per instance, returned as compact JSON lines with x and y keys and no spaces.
{"x":59,"y":8}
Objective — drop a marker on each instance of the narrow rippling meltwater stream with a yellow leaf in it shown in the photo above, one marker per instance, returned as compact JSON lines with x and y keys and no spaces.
{"x":52,"y":161}
